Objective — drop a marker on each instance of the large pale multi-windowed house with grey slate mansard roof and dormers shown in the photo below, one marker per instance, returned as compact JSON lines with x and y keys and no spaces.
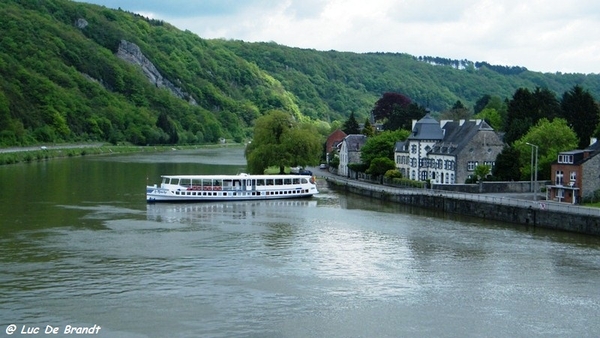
{"x":446,"y":152}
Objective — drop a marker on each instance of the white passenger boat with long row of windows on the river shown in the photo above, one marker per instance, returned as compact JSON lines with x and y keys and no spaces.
{"x":190,"y":188}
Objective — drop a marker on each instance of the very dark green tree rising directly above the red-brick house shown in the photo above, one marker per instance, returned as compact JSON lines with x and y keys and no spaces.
{"x":581,"y":112}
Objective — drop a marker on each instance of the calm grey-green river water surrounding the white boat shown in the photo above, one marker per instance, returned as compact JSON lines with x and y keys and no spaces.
{"x":80,"y":247}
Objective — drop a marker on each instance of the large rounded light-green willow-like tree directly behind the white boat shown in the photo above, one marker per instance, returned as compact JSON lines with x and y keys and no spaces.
{"x":280,"y":141}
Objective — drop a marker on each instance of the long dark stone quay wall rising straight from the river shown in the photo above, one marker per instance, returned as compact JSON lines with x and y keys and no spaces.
{"x":517,"y":212}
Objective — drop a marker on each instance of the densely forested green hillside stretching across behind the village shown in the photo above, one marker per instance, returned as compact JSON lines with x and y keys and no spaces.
{"x":62,"y":79}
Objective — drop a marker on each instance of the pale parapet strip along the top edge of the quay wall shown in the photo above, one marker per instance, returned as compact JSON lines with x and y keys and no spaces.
{"x":485,"y":198}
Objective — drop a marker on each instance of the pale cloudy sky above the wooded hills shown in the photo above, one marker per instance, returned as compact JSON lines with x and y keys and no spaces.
{"x":542,"y":35}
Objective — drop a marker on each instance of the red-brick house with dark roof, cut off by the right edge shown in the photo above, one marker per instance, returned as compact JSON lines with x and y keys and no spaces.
{"x":575,"y":175}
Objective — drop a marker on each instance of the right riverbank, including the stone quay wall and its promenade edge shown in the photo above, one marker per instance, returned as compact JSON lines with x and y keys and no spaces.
{"x":524,"y":211}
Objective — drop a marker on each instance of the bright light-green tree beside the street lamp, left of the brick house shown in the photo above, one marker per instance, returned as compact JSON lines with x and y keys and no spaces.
{"x":551,"y":138}
